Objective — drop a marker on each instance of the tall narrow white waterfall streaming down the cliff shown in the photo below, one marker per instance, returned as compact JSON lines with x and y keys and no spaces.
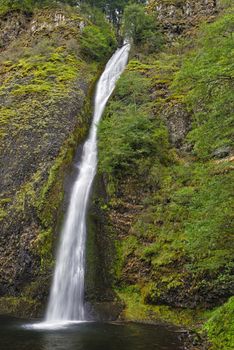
{"x":66,"y":302}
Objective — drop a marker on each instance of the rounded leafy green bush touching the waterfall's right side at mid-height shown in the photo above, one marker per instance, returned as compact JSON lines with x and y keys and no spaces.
{"x":127,"y":138}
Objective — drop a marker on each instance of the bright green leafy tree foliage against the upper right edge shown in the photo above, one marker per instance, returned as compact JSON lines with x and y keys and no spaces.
{"x":208,"y":79}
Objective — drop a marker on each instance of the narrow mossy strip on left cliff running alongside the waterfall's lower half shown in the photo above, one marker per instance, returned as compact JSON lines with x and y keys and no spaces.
{"x":49,"y":200}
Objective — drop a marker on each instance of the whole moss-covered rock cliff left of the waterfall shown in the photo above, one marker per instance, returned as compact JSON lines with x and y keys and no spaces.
{"x":47,"y":72}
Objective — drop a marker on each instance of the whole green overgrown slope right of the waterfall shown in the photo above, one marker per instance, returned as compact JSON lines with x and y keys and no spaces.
{"x":172,"y":209}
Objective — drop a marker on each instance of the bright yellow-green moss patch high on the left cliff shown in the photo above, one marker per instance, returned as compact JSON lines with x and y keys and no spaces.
{"x":47,"y":74}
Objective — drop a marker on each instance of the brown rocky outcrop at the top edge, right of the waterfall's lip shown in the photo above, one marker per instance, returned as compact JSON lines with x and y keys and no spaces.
{"x":178,"y":16}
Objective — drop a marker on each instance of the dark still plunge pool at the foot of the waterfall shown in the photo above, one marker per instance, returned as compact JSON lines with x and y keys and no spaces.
{"x":18,"y":334}
